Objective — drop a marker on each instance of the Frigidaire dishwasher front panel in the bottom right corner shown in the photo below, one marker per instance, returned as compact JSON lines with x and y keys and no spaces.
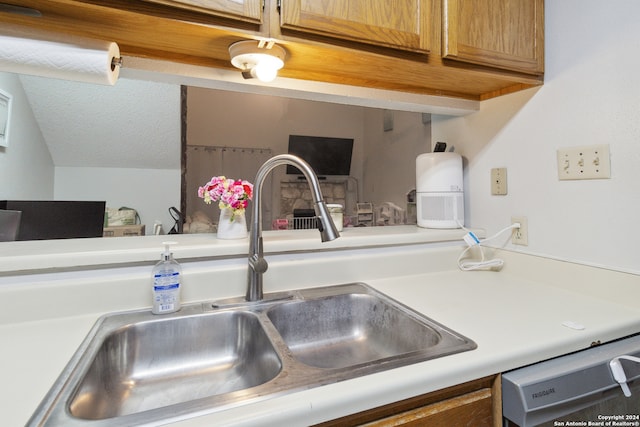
{"x":586,"y":388}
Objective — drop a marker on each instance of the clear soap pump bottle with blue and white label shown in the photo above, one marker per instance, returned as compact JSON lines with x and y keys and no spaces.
{"x":166,"y":283}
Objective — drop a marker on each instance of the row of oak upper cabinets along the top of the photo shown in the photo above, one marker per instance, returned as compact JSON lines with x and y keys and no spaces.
{"x":490,"y":47}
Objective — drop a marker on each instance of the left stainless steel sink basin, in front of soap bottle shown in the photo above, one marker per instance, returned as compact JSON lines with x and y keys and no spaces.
{"x":192,"y":357}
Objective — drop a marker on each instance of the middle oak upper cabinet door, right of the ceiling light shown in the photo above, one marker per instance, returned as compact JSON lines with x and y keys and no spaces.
{"x":391,"y":23}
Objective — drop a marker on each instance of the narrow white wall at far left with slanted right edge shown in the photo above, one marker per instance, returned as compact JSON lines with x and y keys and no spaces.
{"x":26,"y":168}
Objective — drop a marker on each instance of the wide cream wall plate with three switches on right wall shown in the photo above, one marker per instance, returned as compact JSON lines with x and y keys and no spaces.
{"x":584,"y":162}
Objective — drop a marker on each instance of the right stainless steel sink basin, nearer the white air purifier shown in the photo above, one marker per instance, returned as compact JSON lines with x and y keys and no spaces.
{"x":350,"y":329}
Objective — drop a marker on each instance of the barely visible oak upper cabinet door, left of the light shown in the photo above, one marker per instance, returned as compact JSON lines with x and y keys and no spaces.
{"x":244,"y":10}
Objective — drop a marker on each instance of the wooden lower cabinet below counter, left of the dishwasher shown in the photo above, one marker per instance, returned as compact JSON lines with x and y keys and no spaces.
{"x":477,"y":403}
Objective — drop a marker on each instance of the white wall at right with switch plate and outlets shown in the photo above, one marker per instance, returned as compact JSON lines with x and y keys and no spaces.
{"x":591,"y":95}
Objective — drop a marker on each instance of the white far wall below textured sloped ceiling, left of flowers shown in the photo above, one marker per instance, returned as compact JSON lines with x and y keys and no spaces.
{"x":150,"y":191}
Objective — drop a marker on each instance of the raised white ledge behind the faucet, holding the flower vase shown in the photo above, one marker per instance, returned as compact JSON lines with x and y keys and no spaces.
{"x":66,"y":253}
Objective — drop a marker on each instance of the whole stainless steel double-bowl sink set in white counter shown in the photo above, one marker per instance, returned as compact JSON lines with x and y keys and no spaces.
{"x":136,"y":368}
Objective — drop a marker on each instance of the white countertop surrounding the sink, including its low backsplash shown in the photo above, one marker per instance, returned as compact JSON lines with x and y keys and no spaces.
{"x":515,"y":316}
